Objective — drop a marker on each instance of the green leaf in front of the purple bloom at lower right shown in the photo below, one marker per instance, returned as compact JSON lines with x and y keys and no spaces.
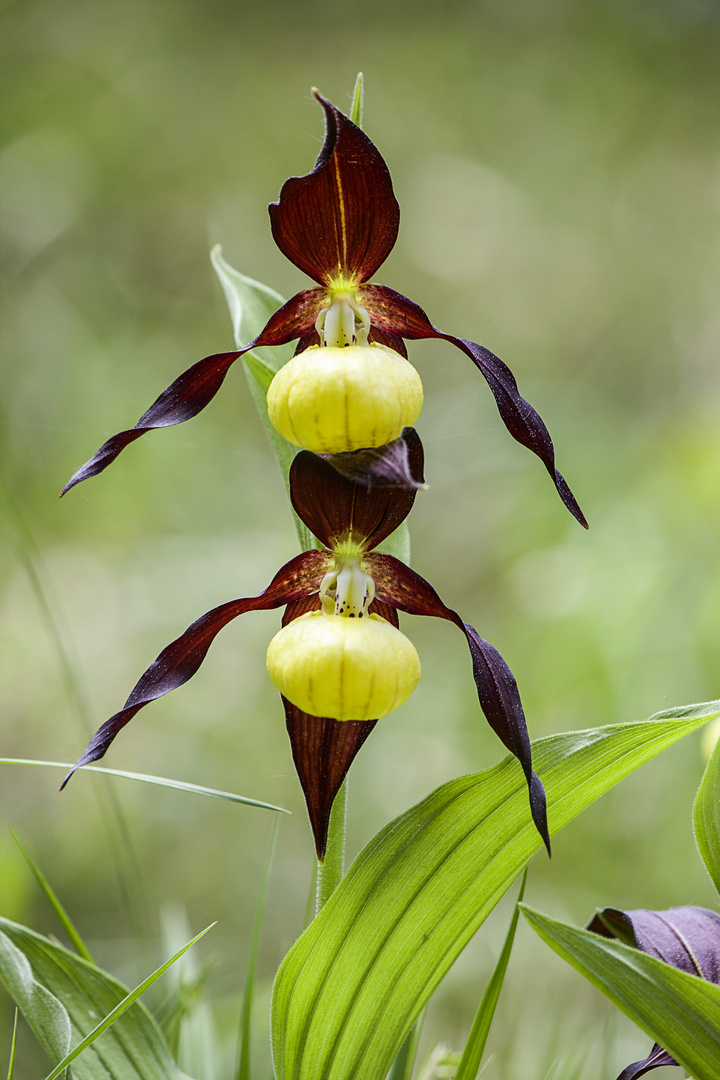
{"x":680,"y":1011}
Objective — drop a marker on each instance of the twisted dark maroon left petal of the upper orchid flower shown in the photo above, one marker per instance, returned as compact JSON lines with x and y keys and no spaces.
{"x":197,"y":387}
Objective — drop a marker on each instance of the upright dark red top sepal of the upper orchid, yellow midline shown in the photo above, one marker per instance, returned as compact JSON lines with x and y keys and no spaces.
{"x":342,"y":220}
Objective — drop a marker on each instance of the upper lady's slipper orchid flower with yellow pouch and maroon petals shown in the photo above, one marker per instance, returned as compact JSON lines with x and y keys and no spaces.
{"x":338,"y":225}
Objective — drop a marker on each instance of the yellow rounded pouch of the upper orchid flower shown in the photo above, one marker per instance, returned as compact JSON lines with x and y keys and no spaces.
{"x":332,"y":400}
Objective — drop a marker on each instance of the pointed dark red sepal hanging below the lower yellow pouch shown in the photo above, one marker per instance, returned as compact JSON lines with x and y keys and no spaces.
{"x":323,"y":751}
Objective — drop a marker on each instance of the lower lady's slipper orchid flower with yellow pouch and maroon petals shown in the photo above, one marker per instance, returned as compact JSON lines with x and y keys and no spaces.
{"x":337,"y":589}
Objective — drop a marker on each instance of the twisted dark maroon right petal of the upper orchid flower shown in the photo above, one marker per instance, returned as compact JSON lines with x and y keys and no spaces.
{"x":393,"y":313}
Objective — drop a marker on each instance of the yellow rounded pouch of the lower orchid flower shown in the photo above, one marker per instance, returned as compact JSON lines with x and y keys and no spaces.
{"x":344,"y":669}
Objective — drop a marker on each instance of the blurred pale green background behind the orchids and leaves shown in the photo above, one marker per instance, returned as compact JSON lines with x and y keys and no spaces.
{"x":559,"y":171}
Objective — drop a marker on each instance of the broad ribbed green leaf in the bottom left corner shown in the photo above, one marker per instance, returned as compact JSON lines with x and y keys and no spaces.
{"x":64,"y":998}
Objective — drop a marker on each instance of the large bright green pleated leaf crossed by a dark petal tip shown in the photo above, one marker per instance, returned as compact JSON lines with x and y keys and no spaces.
{"x":351,"y":988}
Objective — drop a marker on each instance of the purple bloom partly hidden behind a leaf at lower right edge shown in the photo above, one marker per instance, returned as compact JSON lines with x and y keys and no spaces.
{"x":688,"y":938}
